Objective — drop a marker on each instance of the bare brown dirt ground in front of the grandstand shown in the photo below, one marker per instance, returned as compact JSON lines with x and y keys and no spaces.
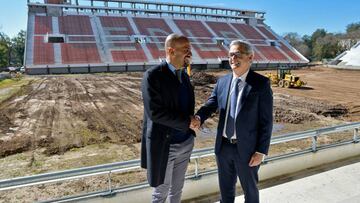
{"x":63,"y":122}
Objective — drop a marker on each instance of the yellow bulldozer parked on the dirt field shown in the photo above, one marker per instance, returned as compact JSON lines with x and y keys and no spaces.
{"x":284,"y":78}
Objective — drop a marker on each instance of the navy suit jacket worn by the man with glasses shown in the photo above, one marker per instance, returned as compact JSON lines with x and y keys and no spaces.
{"x":253,"y":121}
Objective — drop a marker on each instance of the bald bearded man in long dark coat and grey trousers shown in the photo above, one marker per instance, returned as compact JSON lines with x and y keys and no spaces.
{"x":167,"y":139}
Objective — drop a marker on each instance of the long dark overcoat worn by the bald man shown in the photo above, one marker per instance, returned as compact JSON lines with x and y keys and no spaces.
{"x":162,"y":114}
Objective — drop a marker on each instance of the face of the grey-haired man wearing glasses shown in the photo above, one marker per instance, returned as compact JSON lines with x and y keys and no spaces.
{"x":239,"y":59}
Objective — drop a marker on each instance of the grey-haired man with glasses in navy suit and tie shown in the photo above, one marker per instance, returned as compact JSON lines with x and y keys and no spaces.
{"x":244,"y":99}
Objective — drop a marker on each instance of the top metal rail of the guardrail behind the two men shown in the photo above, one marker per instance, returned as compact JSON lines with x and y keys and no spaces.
{"x":135,"y":164}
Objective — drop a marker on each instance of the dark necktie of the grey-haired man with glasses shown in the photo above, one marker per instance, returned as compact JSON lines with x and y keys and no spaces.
{"x":230,"y":124}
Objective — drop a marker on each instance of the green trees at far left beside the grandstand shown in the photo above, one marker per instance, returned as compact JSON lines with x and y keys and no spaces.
{"x":12,"y":49}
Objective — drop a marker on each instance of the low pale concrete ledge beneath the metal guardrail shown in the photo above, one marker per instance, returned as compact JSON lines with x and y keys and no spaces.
{"x":208,"y":184}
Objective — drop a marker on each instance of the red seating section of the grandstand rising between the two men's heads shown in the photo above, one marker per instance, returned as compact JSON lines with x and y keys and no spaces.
{"x":201,"y":39}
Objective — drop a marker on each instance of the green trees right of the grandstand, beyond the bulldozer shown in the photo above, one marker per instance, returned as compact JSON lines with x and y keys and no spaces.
{"x":323,"y":45}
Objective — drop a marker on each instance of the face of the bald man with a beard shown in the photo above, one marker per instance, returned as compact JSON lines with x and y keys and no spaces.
{"x":182,"y":53}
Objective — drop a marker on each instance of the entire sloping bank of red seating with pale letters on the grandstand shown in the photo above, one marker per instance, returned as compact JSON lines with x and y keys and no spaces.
{"x":119,"y":40}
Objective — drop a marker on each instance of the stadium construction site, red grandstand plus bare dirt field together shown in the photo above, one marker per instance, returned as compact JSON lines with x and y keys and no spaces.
{"x":54,"y":121}
